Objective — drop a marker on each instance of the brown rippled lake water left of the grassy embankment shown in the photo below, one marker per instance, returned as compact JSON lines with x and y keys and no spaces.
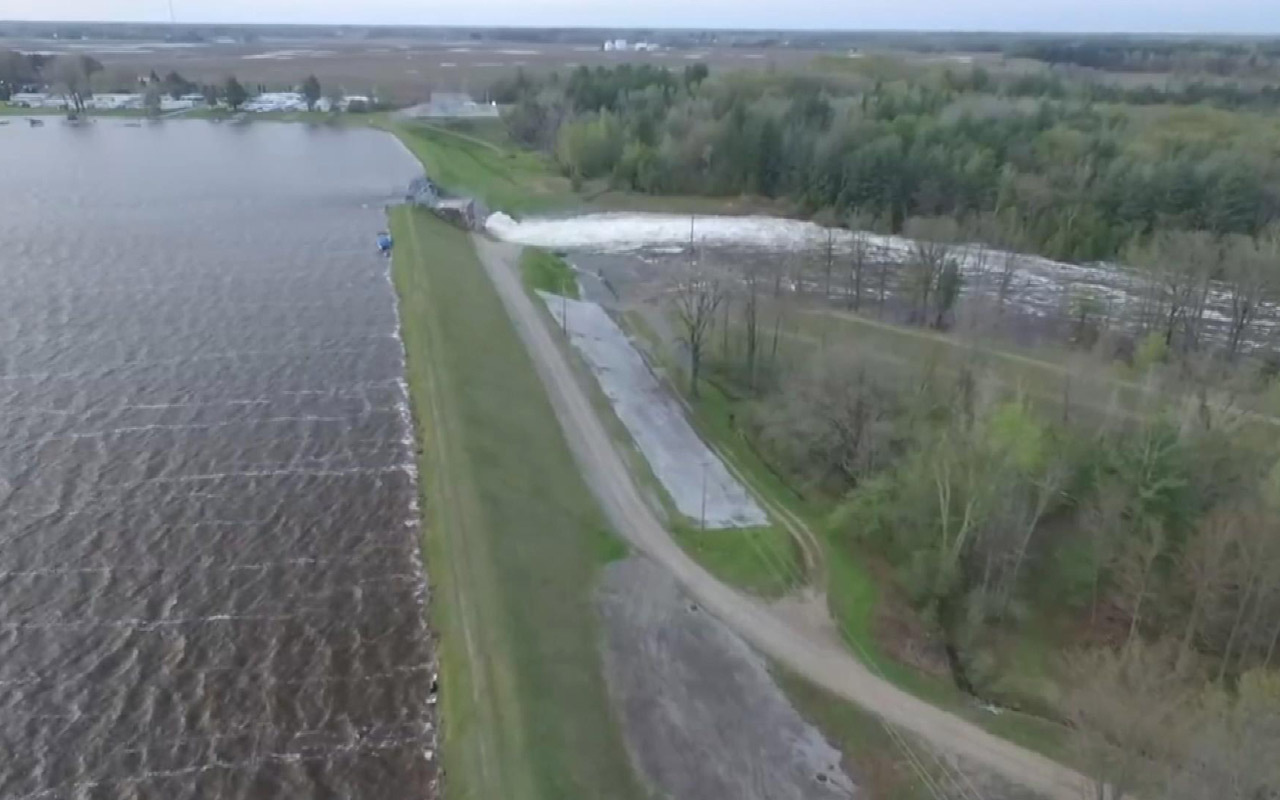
{"x":209,"y":572}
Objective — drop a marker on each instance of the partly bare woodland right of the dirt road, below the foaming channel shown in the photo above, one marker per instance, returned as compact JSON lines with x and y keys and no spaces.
{"x":1137,"y":523}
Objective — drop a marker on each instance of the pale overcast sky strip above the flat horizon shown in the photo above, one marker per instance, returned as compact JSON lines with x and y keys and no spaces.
{"x":1145,"y":16}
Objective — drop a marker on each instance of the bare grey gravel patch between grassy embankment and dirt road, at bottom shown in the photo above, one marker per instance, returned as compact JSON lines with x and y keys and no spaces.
{"x":703,"y":719}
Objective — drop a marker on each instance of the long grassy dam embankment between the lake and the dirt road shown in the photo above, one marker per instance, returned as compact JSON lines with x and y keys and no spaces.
{"x":513,"y":542}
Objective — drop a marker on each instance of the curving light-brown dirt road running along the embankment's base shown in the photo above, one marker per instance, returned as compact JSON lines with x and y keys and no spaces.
{"x":821,"y":661}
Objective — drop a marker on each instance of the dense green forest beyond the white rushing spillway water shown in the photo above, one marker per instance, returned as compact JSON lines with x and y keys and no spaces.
{"x":1071,"y":180}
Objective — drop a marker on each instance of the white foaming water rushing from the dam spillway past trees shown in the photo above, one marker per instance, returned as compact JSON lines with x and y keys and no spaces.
{"x":1037,"y":299}
